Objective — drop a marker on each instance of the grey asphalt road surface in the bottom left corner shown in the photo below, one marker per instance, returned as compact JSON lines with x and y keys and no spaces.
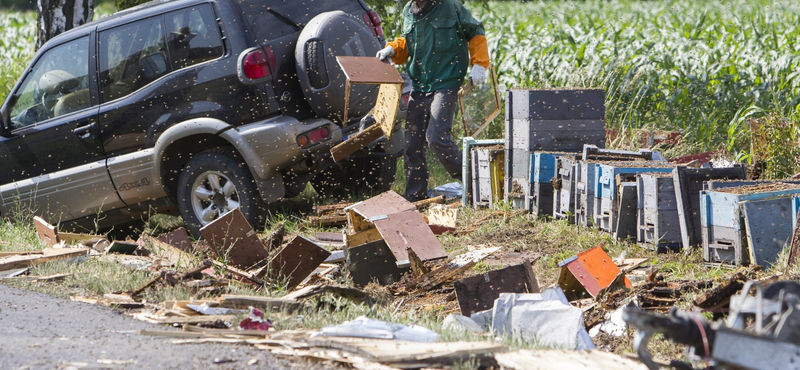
{"x":38,"y":331}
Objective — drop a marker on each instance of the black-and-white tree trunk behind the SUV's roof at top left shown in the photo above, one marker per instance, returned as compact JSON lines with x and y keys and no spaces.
{"x":57,"y":16}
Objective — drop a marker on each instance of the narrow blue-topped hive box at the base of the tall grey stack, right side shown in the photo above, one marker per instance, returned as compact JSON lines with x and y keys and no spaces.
{"x":543,"y":170}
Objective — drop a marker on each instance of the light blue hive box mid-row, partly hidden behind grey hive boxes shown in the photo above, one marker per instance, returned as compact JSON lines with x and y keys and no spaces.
{"x":607,"y":177}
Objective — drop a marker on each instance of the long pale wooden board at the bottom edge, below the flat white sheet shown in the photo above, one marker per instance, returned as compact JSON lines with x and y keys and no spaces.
{"x":397,"y":353}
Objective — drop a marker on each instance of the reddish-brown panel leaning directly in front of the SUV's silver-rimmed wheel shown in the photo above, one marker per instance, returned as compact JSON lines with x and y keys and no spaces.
{"x":232,"y":238}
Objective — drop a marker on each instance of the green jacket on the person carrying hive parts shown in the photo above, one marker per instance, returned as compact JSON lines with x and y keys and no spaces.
{"x":437,"y":39}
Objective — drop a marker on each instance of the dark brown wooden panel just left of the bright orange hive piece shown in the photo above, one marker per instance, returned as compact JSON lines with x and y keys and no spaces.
{"x":477,"y":293}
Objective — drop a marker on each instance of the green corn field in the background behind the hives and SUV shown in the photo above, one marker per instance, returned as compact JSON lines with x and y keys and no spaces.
{"x":704,"y":67}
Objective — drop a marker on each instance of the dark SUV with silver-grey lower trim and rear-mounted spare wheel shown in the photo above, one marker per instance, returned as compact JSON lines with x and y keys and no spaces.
{"x":199,"y":106}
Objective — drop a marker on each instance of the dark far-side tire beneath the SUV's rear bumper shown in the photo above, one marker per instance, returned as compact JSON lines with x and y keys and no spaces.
{"x":359,"y":175}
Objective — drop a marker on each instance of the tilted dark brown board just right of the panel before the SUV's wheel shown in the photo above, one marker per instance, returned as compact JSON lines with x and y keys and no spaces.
{"x":295,"y":261}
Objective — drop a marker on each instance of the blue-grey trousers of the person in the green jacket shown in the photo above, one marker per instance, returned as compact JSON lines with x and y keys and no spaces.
{"x":429,"y":122}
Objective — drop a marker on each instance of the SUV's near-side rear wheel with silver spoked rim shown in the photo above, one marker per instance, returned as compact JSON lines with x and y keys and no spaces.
{"x":213,"y":183}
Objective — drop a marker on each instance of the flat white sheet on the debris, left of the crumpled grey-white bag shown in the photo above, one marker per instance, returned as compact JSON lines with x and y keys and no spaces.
{"x":363,"y":327}
